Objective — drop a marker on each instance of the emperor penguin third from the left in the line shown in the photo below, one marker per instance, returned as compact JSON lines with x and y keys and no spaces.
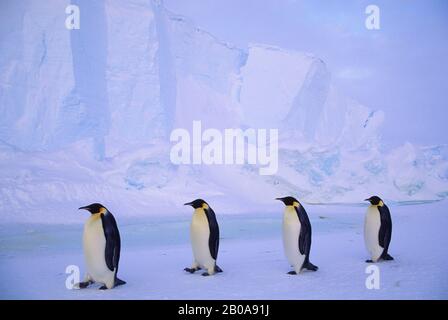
{"x":296,"y":235}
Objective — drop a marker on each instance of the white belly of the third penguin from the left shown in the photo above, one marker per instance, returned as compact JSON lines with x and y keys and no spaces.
{"x":291,"y":232}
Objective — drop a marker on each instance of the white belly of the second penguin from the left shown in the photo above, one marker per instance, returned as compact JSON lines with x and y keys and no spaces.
{"x":200,"y":234}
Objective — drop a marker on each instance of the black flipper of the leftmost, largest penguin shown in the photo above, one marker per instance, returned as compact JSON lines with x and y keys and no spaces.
{"x":113,"y":243}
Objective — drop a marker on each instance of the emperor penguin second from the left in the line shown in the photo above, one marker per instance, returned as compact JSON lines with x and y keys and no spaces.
{"x":204,"y":235}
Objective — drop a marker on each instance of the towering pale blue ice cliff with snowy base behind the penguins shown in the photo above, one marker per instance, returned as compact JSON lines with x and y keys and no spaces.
{"x":86,"y":116}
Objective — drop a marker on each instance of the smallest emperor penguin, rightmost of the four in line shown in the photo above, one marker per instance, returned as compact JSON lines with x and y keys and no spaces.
{"x":377,"y":230}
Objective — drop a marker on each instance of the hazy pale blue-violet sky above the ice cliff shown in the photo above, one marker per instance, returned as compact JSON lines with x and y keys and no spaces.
{"x":401,"y":68}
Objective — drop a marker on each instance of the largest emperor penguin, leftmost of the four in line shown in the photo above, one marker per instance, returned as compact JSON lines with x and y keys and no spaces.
{"x":101,"y":242}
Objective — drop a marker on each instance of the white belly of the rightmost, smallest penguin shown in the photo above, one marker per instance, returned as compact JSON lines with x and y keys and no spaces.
{"x":371,"y":231}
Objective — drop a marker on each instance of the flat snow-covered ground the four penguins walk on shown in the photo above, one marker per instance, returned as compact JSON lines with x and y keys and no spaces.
{"x":33,"y":258}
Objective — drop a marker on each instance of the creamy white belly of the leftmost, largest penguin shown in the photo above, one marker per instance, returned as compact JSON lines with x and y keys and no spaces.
{"x":94,"y":252}
